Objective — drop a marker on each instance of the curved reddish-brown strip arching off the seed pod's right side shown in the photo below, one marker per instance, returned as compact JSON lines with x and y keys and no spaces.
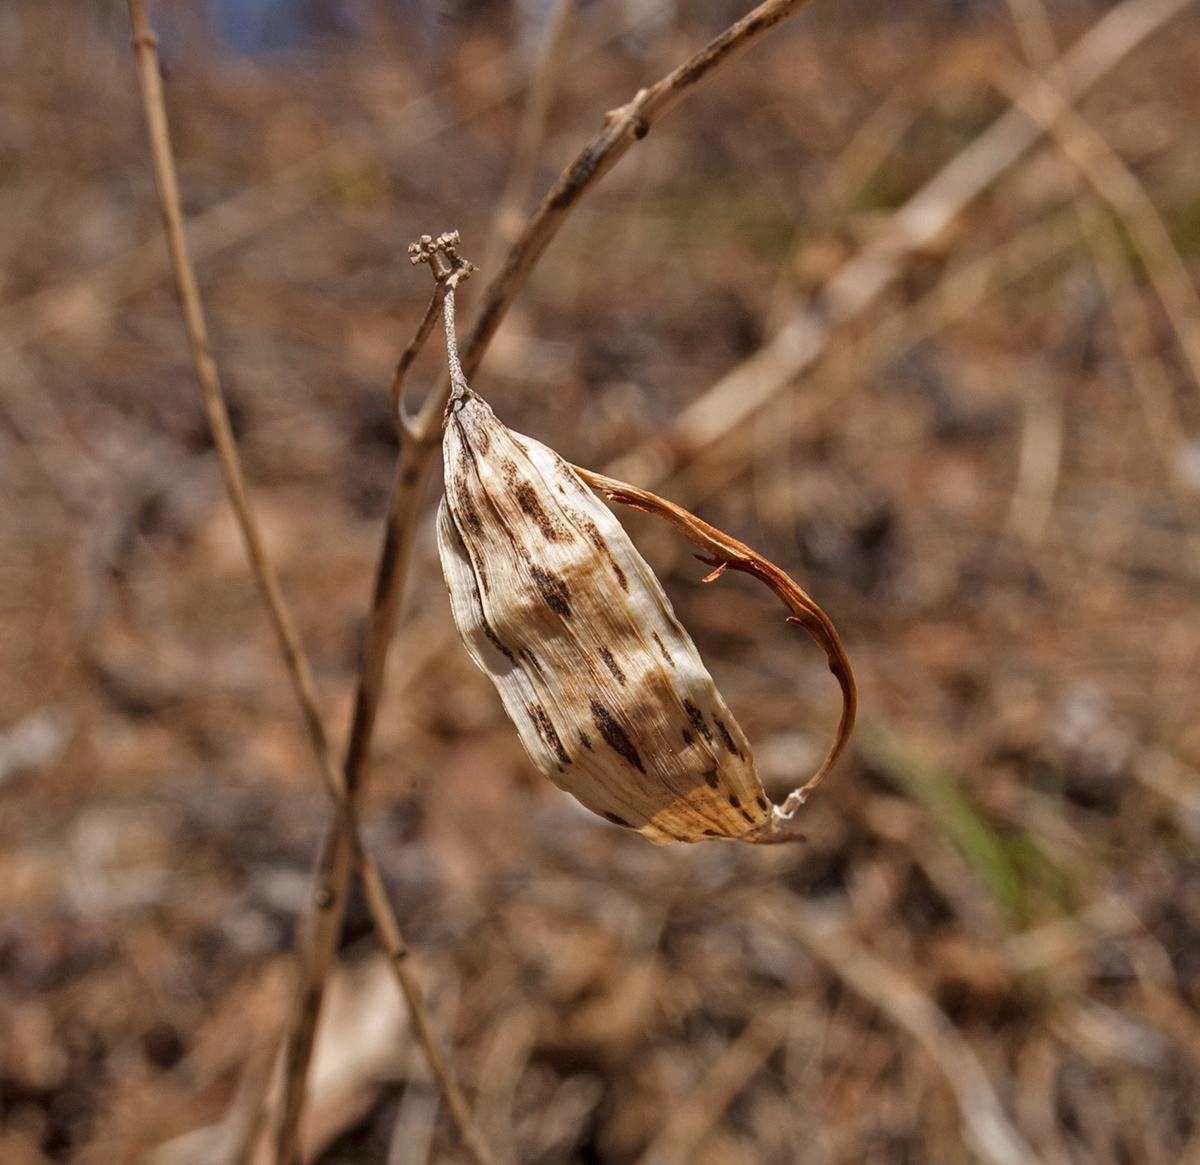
{"x":728,"y":554}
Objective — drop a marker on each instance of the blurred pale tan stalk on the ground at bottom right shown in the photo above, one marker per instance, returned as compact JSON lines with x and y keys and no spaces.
{"x":987,"y":1127}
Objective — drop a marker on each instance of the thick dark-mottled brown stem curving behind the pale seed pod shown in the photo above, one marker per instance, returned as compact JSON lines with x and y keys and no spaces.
{"x":421,"y":436}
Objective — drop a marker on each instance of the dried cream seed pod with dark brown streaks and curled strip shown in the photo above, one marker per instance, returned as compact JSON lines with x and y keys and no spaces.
{"x":608,"y":692}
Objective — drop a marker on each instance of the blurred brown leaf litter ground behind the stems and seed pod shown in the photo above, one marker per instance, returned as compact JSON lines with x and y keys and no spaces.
{"x":982,"y":483}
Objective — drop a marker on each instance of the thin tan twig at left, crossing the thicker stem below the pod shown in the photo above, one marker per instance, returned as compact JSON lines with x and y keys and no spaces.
{"x":265,"y":575}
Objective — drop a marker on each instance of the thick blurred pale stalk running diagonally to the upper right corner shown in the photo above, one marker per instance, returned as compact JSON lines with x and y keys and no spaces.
{"x":927,"y":214}
